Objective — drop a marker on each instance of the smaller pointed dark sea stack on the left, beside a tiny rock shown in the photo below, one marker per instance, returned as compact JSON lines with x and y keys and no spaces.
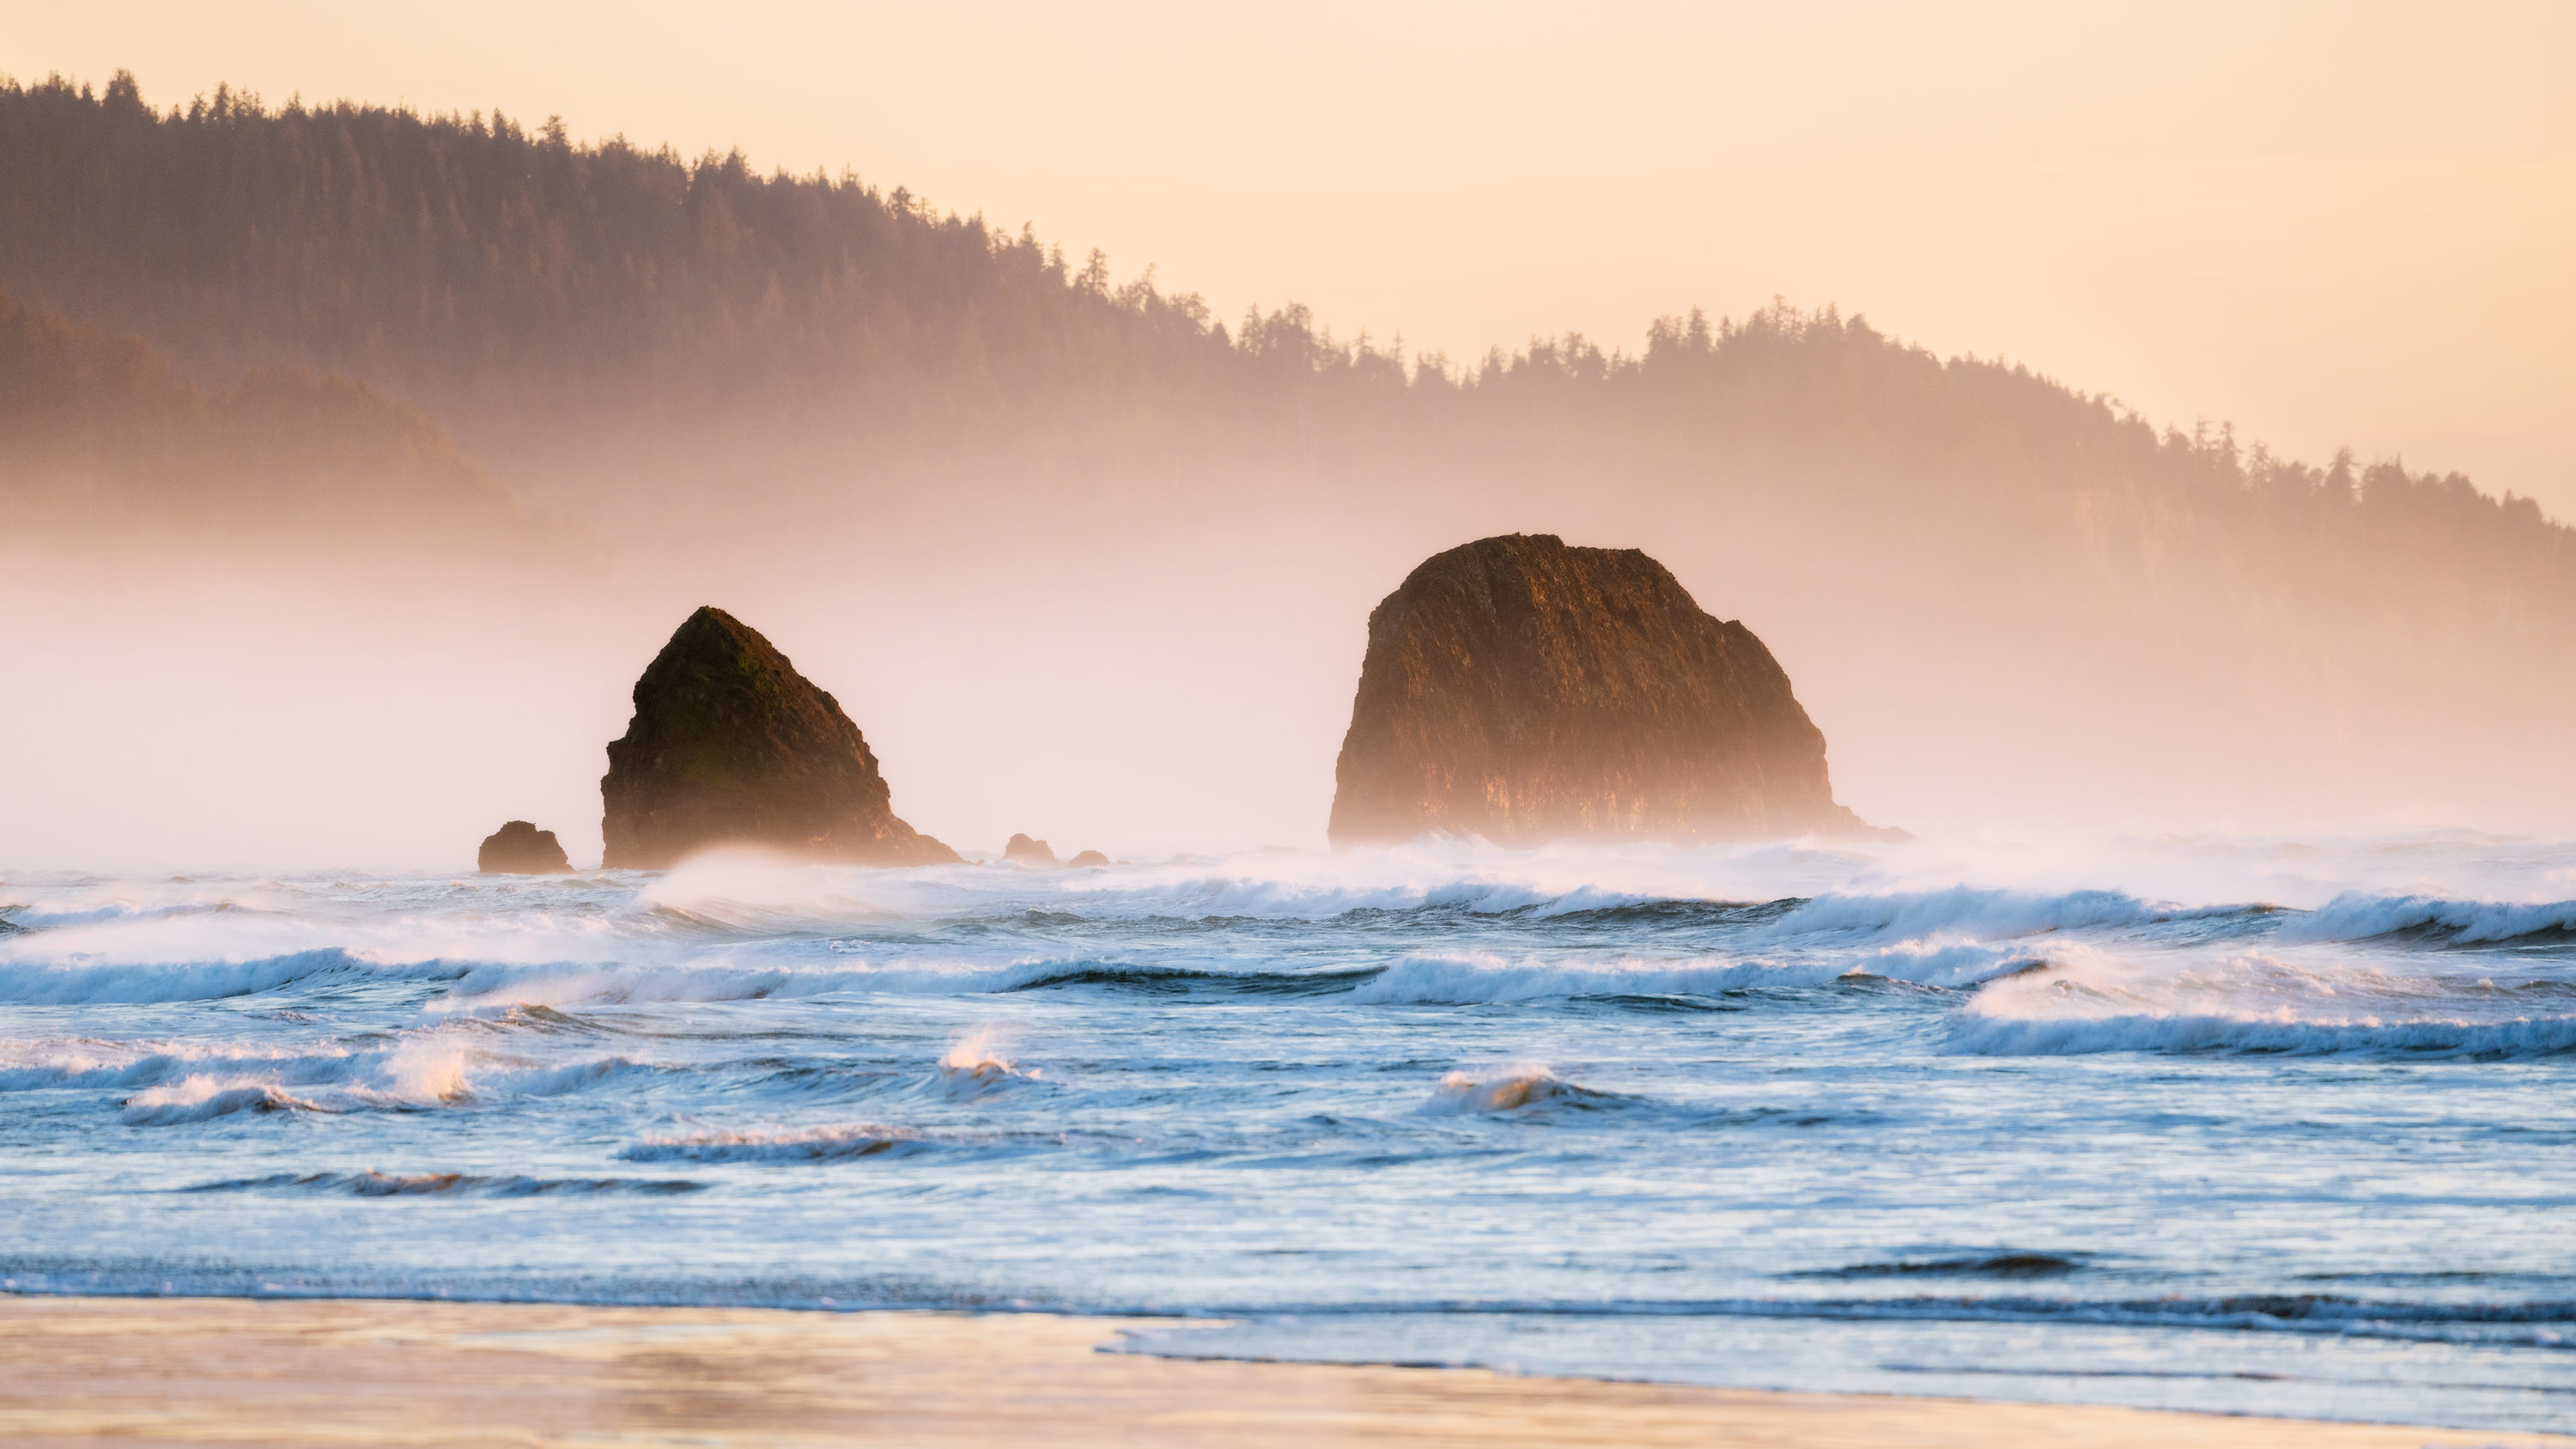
{"x":730,"y":746}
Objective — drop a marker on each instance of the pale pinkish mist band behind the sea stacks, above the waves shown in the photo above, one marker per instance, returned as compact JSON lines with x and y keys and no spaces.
{"x":1148,"y":679}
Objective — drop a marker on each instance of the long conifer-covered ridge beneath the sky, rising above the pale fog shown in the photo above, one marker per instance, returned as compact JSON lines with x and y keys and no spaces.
{"x":648,"y":324}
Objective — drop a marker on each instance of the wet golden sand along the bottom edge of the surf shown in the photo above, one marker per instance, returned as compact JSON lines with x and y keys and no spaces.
{"x":326,"y":1373}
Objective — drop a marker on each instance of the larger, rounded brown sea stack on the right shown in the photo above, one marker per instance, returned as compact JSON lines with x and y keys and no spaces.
{"x":1526,"y":692}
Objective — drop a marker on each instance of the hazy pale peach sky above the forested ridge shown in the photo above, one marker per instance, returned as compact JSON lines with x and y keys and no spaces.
{"x":2330,"y":223}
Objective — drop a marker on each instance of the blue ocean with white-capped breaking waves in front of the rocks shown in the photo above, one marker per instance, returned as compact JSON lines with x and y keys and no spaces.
{"x":2268,"y":1125}
